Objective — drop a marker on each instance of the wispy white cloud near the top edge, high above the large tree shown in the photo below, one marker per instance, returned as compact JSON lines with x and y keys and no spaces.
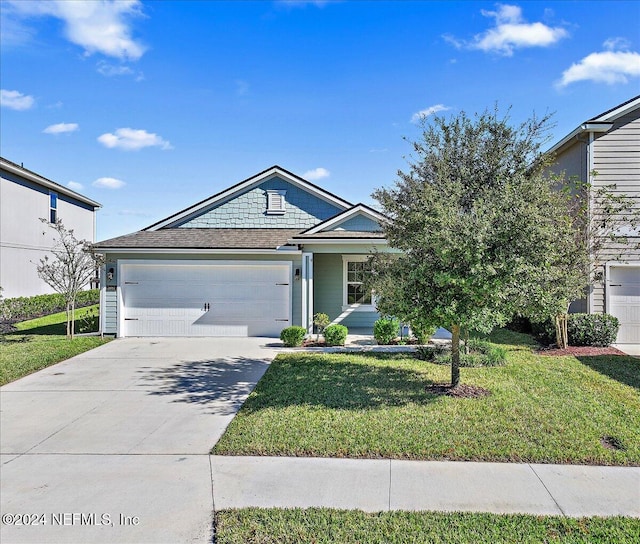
{"x":511,"y":32}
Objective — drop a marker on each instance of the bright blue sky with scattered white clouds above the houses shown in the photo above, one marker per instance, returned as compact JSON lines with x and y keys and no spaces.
{"x":149,"y":107}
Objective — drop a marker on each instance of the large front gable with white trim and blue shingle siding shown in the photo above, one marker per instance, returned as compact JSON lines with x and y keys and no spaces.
{"x":245,"y":205}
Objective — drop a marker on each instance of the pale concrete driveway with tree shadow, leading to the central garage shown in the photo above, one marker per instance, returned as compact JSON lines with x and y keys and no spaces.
{"x":112,"y":445}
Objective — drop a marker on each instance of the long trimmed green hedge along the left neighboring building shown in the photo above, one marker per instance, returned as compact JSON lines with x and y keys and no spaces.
{"x":23,"y":308}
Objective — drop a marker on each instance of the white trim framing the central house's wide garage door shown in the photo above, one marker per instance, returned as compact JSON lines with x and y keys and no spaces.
{"x":194,"y":262}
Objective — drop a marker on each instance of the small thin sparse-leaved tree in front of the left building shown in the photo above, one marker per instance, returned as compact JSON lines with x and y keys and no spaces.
{"x":71,"y":268}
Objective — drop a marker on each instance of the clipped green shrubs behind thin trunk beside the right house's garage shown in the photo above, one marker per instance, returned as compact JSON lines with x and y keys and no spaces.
{"x":582,"y":329}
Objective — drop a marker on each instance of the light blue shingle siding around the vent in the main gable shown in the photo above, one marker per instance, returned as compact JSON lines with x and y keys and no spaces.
{"x":248,"y":210}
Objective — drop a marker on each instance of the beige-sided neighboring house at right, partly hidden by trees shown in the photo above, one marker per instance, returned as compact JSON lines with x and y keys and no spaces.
{"x":605,"y":150}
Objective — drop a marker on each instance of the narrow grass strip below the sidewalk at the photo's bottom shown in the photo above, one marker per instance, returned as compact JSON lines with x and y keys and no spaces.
{"x":317,"y":525}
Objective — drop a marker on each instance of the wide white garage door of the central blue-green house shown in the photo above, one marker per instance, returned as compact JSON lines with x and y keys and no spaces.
{"x":205,"y":299}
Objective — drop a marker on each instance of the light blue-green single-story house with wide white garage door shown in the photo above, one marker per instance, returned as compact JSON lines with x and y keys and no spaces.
{"x":265,"y":254}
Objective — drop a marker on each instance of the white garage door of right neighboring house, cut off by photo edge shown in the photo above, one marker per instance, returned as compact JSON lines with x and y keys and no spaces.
{"x":624,"y":302}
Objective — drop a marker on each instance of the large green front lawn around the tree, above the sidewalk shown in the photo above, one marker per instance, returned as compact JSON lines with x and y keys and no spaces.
{"x":541,"y":409}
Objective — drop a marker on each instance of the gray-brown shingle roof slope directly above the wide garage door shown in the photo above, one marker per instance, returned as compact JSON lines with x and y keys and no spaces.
{"x":188,"y":238}
